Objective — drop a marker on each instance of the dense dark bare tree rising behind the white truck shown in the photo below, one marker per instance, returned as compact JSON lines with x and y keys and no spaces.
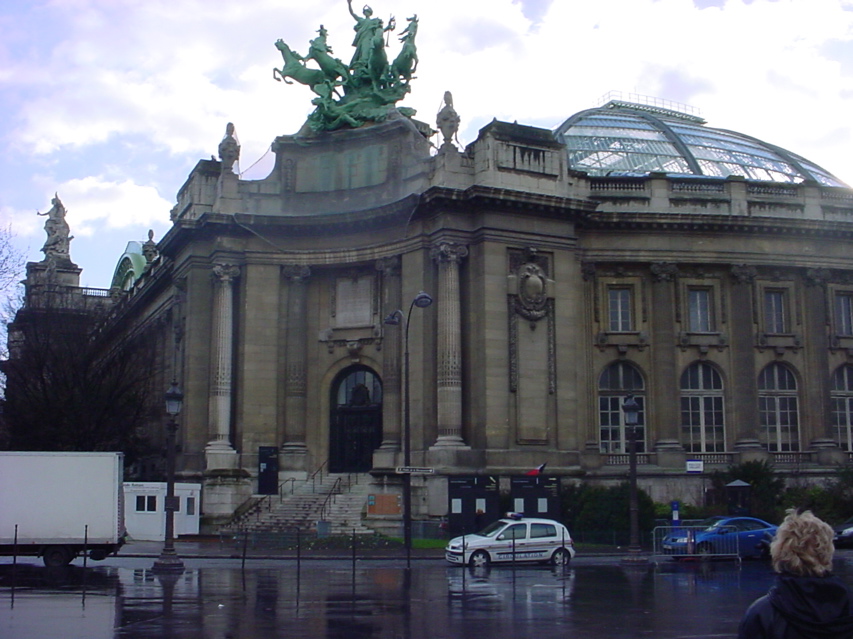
{"x":65,"y":392}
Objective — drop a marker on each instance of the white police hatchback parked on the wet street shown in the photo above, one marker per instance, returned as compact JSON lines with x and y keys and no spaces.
{"x":513,"y":538}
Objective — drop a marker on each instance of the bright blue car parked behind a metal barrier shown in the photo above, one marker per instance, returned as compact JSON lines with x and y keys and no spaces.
{"x":736,"y":536}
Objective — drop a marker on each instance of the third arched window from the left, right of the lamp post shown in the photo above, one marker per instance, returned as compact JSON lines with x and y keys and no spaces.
{"x":778,"y":409}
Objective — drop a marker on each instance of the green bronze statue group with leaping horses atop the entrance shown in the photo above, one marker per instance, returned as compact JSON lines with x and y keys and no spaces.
{"x":365,"y":90}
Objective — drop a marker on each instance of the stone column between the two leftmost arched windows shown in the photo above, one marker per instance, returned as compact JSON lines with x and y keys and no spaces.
{"x":665,"y":408}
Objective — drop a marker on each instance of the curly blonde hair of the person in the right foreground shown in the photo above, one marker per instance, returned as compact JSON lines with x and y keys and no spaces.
{"x":803,"y":545}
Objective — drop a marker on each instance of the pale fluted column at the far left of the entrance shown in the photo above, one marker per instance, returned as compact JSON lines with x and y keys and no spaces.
{"x":219,"y":453}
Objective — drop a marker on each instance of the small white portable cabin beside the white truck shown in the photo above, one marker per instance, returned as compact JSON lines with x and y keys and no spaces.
{"x":145,"y":515}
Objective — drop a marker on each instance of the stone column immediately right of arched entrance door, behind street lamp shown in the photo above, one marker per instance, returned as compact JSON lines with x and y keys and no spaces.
{"x":392,"y":413}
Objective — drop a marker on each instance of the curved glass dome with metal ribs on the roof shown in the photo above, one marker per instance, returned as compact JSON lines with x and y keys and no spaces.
{"x":633,"y":138}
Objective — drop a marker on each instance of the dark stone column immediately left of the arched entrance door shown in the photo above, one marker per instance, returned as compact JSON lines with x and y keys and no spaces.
{"x":294,"y":448}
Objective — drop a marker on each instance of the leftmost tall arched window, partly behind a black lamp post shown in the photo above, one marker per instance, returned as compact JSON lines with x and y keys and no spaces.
{"x":619,"y":380}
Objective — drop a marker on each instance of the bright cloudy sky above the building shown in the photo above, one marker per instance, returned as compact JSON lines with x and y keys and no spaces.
{"x":110,"y":103}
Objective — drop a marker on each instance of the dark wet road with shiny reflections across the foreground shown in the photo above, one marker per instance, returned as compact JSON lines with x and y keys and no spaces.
{"x":378,"y":599}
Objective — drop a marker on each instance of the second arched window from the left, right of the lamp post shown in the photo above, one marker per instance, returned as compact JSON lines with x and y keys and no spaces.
{"x":702,"y":415}
